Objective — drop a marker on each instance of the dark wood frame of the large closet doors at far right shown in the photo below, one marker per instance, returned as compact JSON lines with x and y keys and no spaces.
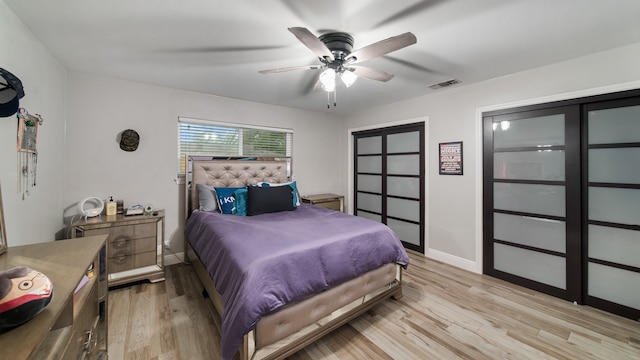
{"x":576,"y":162}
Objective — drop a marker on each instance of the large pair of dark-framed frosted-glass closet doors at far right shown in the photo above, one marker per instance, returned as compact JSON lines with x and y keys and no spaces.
{"x":562,"y":199}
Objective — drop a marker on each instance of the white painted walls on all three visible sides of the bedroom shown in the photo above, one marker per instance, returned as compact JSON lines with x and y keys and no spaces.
{"x":85,"y":160}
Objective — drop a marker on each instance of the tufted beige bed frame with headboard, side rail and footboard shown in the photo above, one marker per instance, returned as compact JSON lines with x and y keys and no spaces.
{"x":299,"y":324}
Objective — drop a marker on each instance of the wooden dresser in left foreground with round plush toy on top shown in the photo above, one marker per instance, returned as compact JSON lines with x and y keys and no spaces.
{"x":74,"y":323}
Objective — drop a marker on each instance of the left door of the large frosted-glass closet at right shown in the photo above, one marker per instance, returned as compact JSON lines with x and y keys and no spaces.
{"x":532,"y":199}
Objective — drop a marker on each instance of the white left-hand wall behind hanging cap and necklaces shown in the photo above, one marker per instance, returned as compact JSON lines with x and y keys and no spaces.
{"x":38,"y":217}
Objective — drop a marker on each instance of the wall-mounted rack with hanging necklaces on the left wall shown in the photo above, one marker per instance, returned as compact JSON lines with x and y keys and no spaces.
{"x":28,"y":126}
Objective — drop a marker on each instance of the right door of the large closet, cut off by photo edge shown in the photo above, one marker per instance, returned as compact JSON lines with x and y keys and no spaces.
{"x":612,"y":172}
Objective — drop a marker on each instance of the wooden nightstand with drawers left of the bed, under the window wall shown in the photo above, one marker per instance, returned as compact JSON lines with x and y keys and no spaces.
{"x":135,"y":245}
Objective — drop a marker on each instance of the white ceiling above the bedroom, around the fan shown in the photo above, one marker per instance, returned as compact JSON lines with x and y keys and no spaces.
{"x":218,"y":46}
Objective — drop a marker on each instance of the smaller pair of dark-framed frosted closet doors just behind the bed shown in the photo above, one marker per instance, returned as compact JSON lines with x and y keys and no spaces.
{"x":389,"y":180}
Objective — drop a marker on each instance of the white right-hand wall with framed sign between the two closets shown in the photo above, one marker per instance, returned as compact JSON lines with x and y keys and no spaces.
{"x":454,"y":202}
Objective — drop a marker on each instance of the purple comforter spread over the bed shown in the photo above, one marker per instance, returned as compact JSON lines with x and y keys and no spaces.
{"x":260,"y":263}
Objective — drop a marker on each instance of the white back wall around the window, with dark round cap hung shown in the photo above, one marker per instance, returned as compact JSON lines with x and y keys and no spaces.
{"x":100,"y":108}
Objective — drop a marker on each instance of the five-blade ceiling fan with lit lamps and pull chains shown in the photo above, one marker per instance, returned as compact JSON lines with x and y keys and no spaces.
{"x":334,"y":50}
